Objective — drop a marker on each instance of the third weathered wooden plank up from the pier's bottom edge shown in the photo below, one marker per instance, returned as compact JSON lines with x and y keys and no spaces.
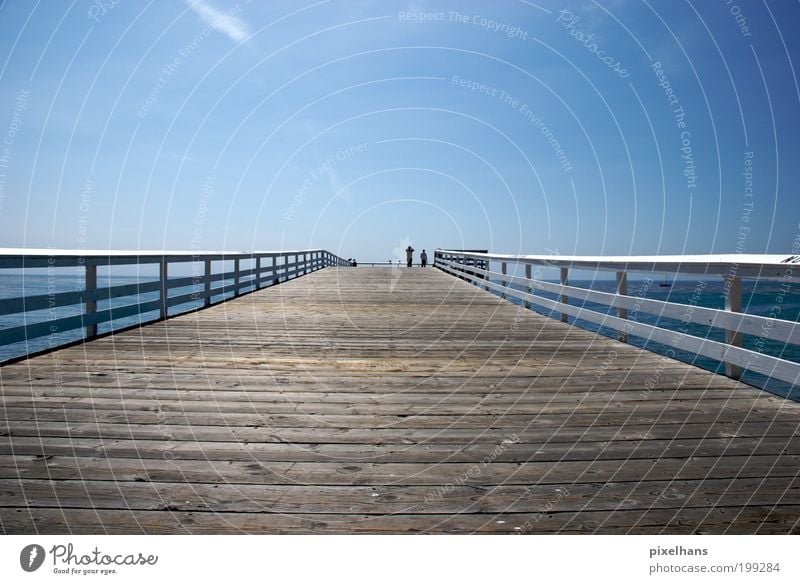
{"x":336,"y":468}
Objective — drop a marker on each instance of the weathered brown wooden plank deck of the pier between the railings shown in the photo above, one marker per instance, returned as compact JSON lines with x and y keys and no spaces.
{"x":386,"y":401}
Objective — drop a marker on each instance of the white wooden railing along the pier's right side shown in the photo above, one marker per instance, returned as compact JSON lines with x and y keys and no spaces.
{"x":732,"y":268}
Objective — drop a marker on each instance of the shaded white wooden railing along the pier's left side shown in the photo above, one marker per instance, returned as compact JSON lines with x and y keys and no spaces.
{"x":270,"y":268}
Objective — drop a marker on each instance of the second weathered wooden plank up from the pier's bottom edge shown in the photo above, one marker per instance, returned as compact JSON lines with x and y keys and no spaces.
{"x":447,"y":499}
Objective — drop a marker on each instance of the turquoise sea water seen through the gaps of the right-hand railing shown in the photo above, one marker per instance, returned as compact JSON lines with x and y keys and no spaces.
{"x":758,"y":298}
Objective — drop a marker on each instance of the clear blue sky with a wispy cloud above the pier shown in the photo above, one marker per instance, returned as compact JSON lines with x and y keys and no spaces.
{"x":515,"y":126}
